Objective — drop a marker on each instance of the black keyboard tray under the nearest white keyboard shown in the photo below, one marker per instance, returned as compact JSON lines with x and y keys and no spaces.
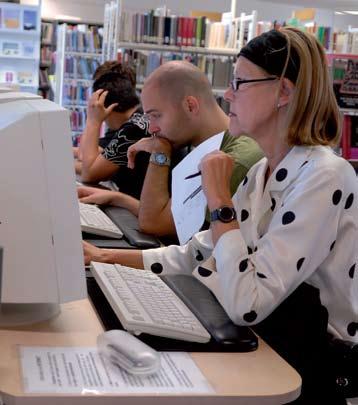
{"x":236,"y":339}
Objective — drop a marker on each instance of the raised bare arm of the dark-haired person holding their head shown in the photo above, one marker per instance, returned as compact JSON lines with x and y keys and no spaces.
{"x":94,"y":167}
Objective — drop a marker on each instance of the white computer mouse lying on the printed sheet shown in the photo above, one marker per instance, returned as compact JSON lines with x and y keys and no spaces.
{"x":125,"y":350}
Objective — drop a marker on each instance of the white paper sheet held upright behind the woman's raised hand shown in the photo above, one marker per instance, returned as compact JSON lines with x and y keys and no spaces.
{"x":189,"y":213}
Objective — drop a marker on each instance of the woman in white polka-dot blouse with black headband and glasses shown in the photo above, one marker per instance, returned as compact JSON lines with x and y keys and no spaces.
{"x":286,"y":245}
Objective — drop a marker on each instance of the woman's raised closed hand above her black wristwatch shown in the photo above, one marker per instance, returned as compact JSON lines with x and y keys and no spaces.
{"x":216,"y":170}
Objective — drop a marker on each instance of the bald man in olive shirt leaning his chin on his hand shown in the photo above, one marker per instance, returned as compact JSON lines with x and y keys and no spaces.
{"x":178,"y":100}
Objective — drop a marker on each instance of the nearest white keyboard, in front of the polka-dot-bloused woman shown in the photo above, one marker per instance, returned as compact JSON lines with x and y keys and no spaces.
{"x":145,"y":304}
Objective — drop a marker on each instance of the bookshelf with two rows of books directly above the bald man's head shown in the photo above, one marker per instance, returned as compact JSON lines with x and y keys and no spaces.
{"x":148,"y":39}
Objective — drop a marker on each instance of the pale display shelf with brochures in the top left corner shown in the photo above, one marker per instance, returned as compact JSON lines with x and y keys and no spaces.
{"x":19,"y":45}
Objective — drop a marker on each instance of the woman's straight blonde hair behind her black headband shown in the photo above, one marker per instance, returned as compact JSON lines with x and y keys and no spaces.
{"x":313,"y":115}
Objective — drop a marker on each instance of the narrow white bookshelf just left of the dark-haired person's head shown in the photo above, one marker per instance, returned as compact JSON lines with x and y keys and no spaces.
{"x":78,"y":54}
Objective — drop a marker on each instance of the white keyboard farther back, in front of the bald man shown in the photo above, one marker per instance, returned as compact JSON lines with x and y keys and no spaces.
{"x":94,"y":220}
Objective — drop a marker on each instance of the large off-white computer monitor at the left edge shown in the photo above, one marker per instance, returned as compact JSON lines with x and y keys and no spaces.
{"x":40,"y":230}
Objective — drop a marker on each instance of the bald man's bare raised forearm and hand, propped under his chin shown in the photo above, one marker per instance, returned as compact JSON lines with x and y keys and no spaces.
{"x":154,"y":216}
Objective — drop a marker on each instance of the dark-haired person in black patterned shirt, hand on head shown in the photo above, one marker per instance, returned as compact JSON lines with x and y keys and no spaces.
{"x":115,"y":102}
